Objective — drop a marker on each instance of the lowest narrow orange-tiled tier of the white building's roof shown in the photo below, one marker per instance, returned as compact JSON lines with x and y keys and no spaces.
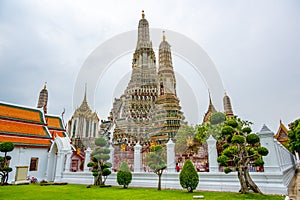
{"x":25,"y":140}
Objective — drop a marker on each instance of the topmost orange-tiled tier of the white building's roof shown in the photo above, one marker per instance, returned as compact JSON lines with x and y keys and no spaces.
{"x":20,"y":113}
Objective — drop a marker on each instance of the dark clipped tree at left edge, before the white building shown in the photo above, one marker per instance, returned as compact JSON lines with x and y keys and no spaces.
{"x":4,"y":168}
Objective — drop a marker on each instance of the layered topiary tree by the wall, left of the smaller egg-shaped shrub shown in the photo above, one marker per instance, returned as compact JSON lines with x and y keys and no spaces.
{"x":100,"y":156}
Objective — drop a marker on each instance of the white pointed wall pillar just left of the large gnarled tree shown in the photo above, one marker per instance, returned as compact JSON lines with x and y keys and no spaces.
{"x":212,"y":154}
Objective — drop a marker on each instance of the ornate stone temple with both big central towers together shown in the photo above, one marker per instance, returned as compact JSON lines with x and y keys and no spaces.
{"x":149,"y":109}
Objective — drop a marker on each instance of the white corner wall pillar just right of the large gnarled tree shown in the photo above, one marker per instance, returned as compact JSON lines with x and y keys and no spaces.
{"x":267,"y":140}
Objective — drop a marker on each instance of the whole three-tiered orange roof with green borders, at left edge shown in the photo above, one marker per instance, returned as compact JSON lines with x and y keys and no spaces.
{"x":23,"y":126}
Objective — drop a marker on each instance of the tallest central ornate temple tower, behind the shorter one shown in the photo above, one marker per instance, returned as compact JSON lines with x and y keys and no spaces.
{"x":131,"y":112}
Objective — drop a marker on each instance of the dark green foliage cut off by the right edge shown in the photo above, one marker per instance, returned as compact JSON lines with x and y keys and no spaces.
{"x":294,"y":136}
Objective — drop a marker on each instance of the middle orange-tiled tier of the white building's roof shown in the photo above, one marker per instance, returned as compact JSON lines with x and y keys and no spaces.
{"x":20,"y":128}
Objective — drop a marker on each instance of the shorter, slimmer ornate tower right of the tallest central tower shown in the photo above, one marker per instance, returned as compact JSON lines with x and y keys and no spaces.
{"x":167,"y":116}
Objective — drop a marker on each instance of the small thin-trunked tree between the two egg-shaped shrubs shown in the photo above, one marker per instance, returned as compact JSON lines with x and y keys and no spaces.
{"x":156,"y":162}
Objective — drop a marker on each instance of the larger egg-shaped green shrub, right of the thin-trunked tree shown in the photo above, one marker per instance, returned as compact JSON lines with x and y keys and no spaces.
{"x":188,"y":176}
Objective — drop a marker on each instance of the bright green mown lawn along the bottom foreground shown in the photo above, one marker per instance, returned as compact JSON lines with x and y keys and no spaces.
{"x":59,"y":192}
